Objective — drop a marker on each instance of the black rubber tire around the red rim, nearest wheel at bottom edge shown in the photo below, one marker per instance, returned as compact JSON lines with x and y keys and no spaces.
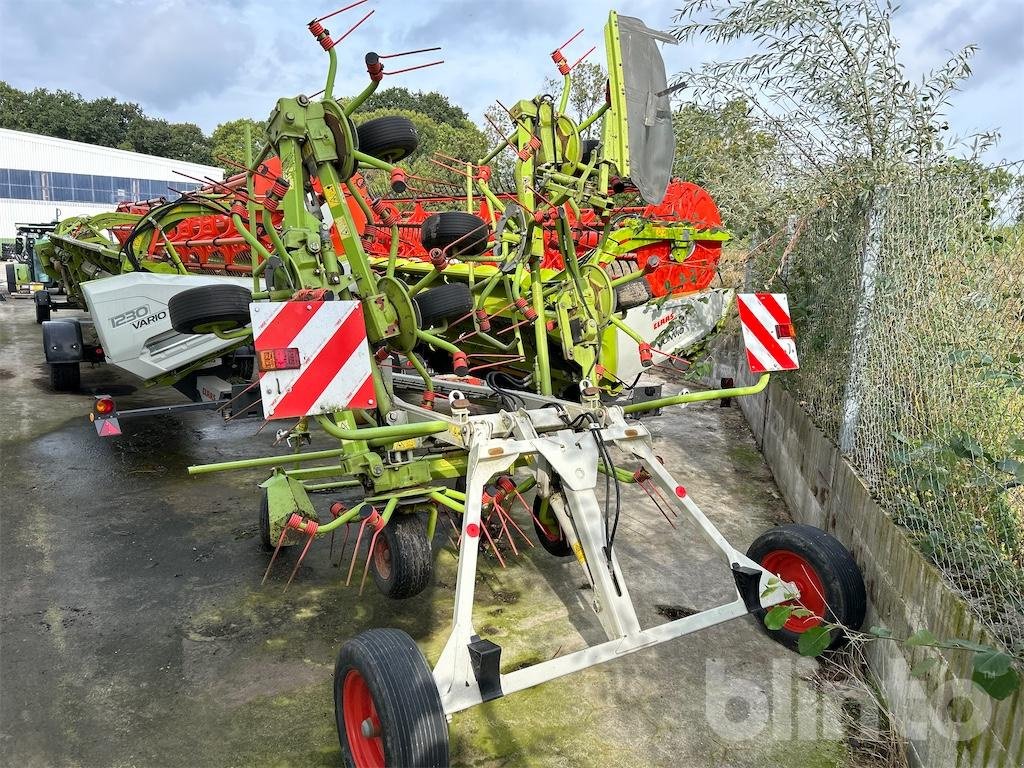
{"x":413,"y":727}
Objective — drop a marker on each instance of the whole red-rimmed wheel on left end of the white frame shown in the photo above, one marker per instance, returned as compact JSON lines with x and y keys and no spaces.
{"x":387,"y":705}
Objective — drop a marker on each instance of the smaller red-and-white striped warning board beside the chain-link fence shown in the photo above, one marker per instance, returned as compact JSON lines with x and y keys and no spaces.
{"x":769,"y":332}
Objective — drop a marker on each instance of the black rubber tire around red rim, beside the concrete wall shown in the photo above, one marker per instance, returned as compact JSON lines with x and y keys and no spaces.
{"x":843,"y":584}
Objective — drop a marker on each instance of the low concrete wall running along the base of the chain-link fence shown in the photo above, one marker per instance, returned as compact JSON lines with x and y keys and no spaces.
{"x":906,"y":592}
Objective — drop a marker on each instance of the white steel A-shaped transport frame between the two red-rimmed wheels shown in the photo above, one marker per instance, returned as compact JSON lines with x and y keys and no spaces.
{"x":496,"y":442}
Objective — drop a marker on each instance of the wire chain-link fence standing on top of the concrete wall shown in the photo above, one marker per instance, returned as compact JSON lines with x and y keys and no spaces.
{"x":910,"y":310}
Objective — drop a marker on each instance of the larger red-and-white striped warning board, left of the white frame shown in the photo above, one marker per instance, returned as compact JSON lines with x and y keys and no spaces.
{"x":313,"y":358}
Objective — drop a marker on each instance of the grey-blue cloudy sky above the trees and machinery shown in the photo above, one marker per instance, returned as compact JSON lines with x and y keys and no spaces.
{"x":211,"y":61}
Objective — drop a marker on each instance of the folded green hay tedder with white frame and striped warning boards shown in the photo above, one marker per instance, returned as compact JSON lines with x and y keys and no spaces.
{"x":520,"y":296}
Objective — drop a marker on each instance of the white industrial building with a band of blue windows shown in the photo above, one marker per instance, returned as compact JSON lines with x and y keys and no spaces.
{"x":44,"y":179}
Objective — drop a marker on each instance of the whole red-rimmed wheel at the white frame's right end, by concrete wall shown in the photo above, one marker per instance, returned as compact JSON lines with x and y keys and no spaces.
{"x":825,"y":572}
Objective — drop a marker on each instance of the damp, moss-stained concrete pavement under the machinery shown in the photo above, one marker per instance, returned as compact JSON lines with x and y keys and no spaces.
{"x":136,"y":631}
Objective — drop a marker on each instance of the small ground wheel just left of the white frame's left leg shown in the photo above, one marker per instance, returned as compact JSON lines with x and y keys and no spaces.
{"x":403,"y":563}
